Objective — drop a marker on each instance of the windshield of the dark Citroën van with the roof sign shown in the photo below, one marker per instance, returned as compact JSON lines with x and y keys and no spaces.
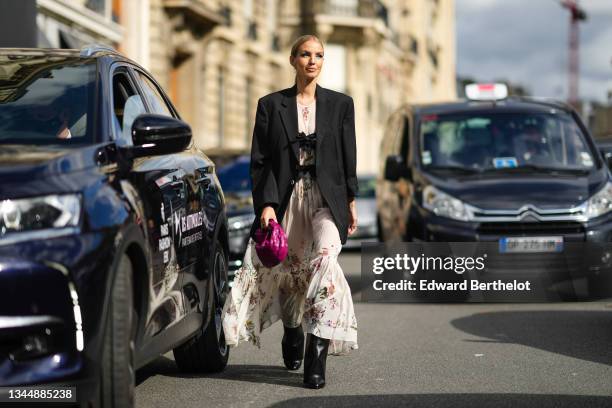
{"x":503,"y":142}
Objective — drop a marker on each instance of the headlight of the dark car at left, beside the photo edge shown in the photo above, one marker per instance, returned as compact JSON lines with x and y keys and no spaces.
{"x":40,"y":213}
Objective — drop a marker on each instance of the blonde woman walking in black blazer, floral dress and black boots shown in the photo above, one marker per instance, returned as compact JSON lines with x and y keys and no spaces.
{"x":303,"y":164}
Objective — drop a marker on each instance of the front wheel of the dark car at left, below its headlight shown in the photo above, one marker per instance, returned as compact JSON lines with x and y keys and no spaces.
{"x":117,"y":377}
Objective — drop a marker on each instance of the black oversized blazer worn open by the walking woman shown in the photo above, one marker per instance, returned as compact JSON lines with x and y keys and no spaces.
{"x":274,"y":153}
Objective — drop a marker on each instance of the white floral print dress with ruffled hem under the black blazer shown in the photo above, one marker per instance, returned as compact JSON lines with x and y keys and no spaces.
{"x":308,"y":287}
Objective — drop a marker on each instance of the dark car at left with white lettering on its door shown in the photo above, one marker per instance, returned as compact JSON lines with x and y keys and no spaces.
{"x":113,"y":236}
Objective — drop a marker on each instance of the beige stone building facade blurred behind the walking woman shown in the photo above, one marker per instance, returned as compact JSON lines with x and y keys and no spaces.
{"x":216,"y":58}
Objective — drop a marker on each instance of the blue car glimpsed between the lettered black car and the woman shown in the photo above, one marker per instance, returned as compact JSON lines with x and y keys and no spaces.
{"x":234,"y":176}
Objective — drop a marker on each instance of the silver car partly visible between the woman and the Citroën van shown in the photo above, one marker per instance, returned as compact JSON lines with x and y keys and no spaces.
{"x":367,"y":215}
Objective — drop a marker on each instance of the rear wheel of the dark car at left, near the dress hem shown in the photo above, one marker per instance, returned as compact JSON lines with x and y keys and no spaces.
{"x":207,"y":351}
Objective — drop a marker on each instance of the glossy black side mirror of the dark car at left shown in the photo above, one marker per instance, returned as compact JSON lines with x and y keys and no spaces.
{"x":155,"y":134}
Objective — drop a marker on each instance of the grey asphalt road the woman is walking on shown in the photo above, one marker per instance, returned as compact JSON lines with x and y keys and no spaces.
{"x":419,"y":355}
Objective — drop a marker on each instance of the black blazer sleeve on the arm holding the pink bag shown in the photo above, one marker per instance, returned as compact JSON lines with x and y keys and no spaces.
{"x":265,"y":190}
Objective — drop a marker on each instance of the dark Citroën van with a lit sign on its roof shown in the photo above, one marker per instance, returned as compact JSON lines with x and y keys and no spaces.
{"x":524,"y":173}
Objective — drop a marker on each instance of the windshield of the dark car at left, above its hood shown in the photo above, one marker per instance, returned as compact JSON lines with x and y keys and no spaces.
{"x":45,"y":99}
